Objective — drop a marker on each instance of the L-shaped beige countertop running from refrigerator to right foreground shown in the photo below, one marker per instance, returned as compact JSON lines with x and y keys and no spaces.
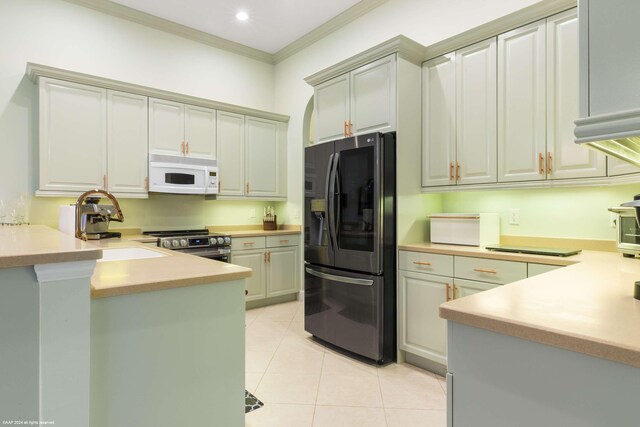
{"x":587,"y":307}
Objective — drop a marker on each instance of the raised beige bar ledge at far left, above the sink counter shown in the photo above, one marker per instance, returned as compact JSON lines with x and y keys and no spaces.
{"x":37,"y":244}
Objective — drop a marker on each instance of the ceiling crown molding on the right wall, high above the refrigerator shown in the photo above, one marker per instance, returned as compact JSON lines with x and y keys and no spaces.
{"x":354,"y":12}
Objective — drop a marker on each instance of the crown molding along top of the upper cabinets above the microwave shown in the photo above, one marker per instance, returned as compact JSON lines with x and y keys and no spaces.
{"x":34,"y":71}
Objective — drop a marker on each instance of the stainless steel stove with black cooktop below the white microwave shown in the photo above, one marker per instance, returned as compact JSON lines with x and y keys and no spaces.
{"x":198,"y":242}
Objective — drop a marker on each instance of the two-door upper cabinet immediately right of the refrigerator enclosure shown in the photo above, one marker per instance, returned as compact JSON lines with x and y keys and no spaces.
{"x":459,"y":117}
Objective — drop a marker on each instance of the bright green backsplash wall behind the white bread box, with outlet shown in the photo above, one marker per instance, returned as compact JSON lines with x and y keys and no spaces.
{"x":567,"y":212}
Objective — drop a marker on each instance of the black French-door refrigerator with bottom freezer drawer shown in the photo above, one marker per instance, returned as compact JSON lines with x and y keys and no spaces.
{"x":350,"y":238}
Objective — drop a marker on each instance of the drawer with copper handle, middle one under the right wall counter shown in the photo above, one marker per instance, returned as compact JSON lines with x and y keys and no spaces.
{"x":489,"y":270}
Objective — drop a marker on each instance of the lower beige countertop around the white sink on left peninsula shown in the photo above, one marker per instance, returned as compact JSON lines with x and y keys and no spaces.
{"x":112,"y":278}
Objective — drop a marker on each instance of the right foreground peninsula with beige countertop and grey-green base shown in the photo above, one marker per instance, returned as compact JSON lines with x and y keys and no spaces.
{"x":557,"y":349}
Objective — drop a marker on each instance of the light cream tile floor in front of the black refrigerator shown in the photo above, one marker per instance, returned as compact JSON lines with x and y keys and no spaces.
{"x":304,"y":384}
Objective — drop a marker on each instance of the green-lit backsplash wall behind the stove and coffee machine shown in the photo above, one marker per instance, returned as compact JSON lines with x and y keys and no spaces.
{"x":164,"y":211}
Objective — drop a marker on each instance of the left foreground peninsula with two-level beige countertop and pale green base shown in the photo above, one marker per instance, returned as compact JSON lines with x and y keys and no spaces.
{"x":146,"y":342}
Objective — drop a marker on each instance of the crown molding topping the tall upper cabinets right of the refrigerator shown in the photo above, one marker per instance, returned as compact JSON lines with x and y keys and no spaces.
{"x":498,"y":26}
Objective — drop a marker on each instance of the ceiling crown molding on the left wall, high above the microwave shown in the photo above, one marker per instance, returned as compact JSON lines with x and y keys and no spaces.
{"x":129,"y":14}
